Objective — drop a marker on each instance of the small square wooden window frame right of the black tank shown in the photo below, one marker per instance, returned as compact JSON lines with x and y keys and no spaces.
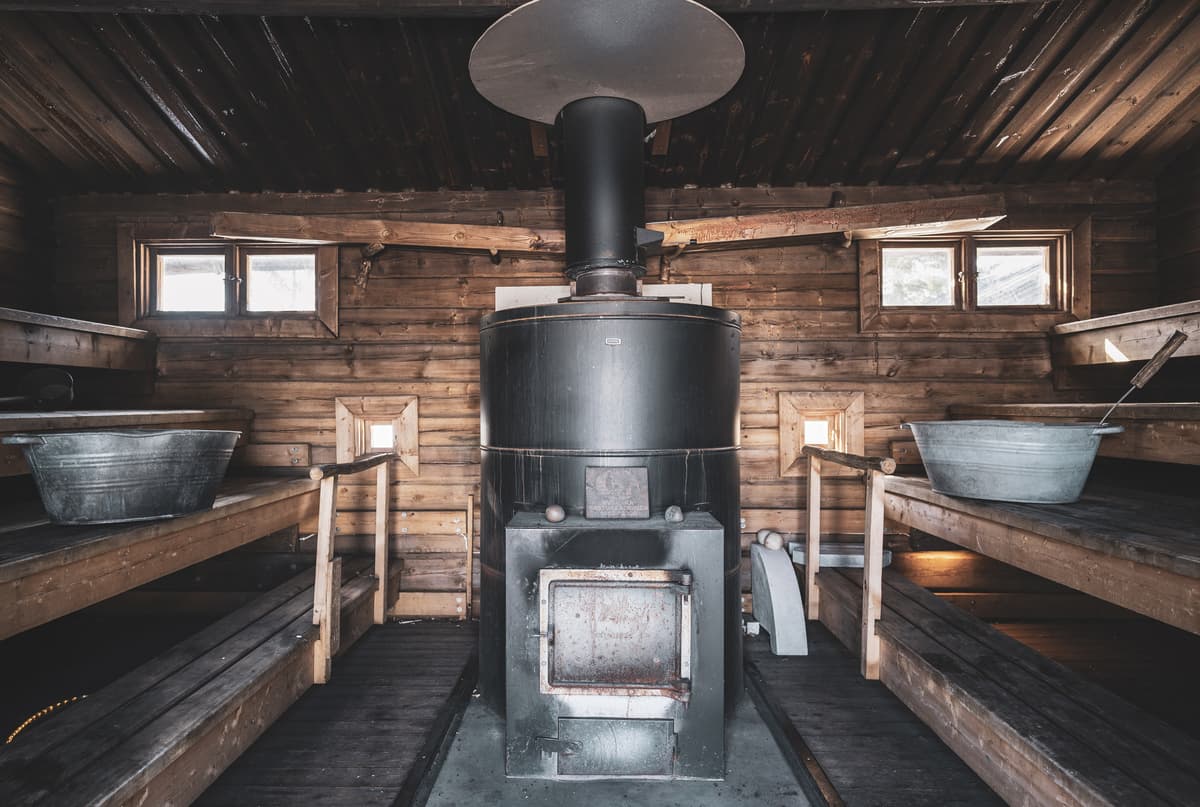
{"x":797,"y":405}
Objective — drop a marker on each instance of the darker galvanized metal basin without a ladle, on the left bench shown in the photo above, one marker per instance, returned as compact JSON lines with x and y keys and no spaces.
{"x":101,"y":477}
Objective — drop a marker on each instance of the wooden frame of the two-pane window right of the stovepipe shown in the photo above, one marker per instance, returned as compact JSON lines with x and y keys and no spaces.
{"x":1070,"y":295}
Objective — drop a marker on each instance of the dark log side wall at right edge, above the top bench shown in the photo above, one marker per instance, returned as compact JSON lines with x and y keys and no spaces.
{"x":1179,"y":229}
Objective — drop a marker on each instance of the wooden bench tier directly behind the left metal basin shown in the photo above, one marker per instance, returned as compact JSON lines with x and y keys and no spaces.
{"x":13,"y":461}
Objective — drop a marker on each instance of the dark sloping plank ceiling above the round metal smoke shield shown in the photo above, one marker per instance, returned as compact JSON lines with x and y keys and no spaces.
{"x":1073,"y":89}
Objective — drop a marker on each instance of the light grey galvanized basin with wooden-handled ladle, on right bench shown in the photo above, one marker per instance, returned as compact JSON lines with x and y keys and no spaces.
{"x":1007,"y":461}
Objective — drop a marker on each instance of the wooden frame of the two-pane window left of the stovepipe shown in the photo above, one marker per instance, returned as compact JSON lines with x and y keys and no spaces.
{"x":139,"y":248}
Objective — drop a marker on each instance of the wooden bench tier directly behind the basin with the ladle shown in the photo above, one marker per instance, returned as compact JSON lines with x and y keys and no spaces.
{"x":1159,"y":433}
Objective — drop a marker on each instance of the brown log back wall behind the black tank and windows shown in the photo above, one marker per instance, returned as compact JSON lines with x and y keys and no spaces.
{"x":413,"y":330}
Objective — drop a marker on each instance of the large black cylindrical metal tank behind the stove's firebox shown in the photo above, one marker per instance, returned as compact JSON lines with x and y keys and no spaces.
{"x":607,"y":384}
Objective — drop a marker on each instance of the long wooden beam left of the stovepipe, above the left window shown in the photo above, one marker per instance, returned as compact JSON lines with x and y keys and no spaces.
{"x":335,"y":230}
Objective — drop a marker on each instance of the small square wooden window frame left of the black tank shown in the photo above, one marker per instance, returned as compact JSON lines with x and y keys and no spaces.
{"x":355,"y":416}
